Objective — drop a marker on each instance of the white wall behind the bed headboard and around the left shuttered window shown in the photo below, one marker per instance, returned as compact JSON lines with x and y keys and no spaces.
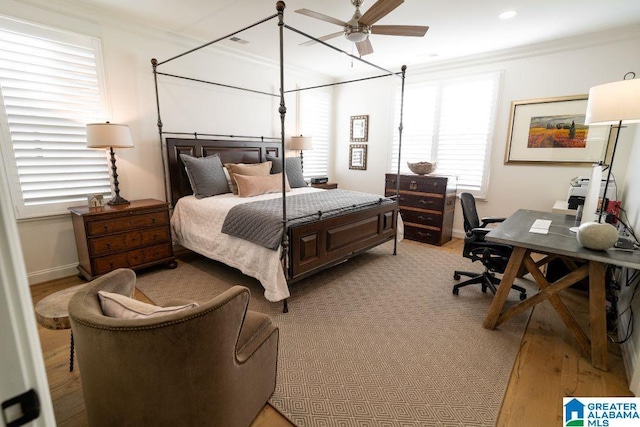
{"x":127,"y":47}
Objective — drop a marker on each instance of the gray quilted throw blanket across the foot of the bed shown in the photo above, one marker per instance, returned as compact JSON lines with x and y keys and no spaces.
{"x":261,"y":221}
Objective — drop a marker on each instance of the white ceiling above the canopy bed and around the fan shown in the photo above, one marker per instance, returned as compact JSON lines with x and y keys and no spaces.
{"x":457,"y":27}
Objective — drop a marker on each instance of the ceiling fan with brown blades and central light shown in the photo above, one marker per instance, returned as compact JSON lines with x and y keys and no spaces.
{"x":360,"y":26}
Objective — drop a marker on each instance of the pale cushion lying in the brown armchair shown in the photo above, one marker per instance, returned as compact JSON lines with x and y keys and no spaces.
{"x":122,"y":307}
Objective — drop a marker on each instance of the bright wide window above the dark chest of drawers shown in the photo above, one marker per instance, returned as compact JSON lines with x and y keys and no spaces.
{"x":450,"y":122}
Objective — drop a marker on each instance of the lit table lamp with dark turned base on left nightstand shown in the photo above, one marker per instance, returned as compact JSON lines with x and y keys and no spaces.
{"x":110,"y":135}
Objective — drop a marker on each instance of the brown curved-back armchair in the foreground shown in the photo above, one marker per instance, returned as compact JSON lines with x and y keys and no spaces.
{"x":214,"y":364}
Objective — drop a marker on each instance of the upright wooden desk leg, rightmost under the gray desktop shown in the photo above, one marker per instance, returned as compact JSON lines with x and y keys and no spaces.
{"x":598,"y":315}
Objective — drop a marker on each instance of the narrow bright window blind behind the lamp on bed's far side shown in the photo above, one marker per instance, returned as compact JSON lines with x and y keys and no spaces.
{"x":315,"y":121}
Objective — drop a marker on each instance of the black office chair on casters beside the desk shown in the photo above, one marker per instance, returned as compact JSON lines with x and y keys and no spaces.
{"x":494,"y":256}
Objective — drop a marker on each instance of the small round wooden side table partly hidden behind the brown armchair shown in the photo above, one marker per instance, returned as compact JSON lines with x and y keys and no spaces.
{"x":52,"y":312}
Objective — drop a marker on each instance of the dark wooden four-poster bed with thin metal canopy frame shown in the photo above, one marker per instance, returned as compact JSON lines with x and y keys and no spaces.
{"x":308,"y":246}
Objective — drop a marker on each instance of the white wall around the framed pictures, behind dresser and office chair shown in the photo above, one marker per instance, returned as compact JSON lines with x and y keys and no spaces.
{"x":564,"y":68}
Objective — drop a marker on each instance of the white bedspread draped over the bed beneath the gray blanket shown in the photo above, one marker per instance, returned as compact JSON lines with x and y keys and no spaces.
{"x":197,"y":223}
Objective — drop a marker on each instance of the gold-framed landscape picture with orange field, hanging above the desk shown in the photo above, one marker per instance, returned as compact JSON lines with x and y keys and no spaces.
{"x":552,"y":131}
